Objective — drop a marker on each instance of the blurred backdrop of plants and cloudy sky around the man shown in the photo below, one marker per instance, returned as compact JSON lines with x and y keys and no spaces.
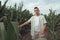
{"x":16,"y":12}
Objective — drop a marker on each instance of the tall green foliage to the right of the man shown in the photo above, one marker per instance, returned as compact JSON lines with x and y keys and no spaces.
{"x":53,"y":24}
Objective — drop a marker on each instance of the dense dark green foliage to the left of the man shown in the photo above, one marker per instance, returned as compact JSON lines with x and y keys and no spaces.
{"x":11,"y":18}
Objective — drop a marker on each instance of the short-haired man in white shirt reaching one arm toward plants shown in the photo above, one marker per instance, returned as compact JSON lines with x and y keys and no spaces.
{"x":38,"y":25}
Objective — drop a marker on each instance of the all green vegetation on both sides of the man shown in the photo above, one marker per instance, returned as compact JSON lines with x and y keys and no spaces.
{"x":11,"y":17}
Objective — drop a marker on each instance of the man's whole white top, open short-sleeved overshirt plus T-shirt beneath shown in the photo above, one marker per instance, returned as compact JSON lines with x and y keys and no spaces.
{"x":38,"y":22}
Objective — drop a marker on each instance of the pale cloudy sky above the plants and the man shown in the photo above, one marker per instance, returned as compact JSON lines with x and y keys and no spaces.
{"x":43,"y":5}
